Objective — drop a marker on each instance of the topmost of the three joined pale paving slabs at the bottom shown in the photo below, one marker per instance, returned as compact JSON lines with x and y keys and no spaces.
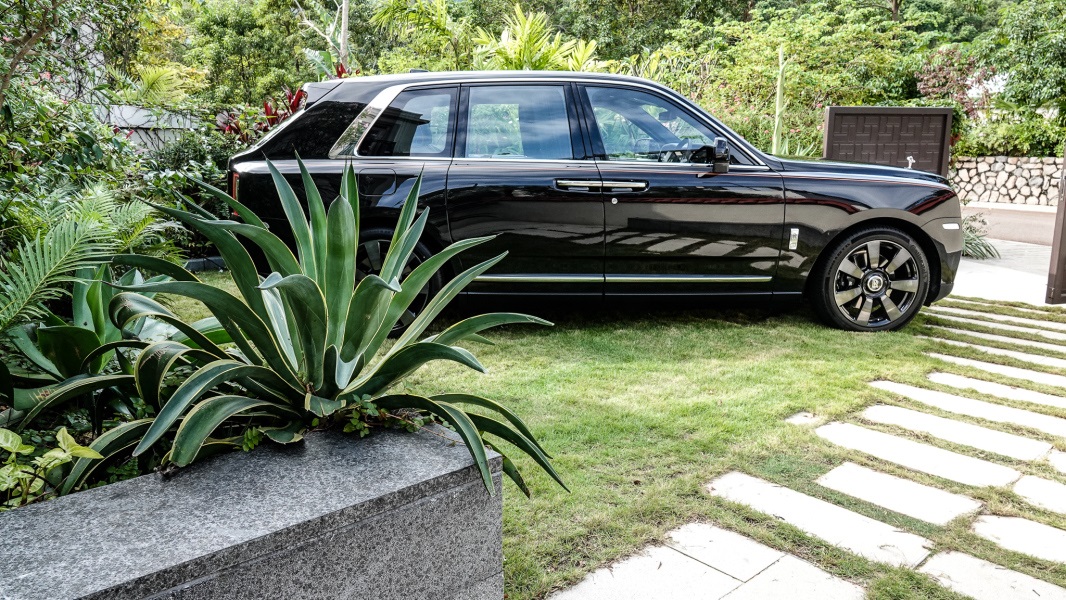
{"x":738,"y":557}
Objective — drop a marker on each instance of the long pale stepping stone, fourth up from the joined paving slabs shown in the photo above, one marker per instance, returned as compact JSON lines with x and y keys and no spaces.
{"x":982,"y":439}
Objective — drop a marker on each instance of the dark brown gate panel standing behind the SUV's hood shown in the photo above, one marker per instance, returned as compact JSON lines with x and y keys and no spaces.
{"x":915,"y":138}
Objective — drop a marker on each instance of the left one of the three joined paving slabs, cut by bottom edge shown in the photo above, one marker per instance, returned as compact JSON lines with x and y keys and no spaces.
{"x":658,"y":573}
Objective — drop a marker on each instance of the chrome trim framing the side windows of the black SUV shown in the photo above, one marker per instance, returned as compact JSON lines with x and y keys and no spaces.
{"x":385,"y":98}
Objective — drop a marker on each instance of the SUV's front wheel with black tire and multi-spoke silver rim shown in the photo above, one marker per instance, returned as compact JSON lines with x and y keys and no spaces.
{"x":874,"y":281}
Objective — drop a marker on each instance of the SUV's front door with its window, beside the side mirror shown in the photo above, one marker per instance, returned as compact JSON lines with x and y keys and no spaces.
{"x":674,"y":226}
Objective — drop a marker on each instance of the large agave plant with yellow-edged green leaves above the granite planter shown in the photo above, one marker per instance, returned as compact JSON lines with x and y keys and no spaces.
{"x":309,"y":343}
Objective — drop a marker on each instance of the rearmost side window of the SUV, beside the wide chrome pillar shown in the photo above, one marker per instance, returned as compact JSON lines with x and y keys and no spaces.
{"x":417,"y":124}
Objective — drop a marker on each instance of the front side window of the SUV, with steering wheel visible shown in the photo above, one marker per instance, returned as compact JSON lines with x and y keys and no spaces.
{"x":638,"y":126}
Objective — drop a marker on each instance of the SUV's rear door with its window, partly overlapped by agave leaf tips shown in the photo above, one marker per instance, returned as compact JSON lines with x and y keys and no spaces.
{"x":523,"y":173}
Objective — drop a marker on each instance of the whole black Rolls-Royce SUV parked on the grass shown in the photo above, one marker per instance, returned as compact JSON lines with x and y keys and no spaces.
{"x":605,"y":185}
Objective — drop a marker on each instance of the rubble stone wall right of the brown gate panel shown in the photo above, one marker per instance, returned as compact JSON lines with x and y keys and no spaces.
{"x":1017,"y":181}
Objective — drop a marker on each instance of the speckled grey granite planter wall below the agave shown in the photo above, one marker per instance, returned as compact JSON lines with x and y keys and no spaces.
{"x":393,"y":516}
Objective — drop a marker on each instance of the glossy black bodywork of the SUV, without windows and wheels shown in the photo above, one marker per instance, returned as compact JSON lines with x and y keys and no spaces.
{"x":685,"y":222}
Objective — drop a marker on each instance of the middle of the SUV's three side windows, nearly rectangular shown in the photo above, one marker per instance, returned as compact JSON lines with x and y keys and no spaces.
{"x":519,"y":122}
